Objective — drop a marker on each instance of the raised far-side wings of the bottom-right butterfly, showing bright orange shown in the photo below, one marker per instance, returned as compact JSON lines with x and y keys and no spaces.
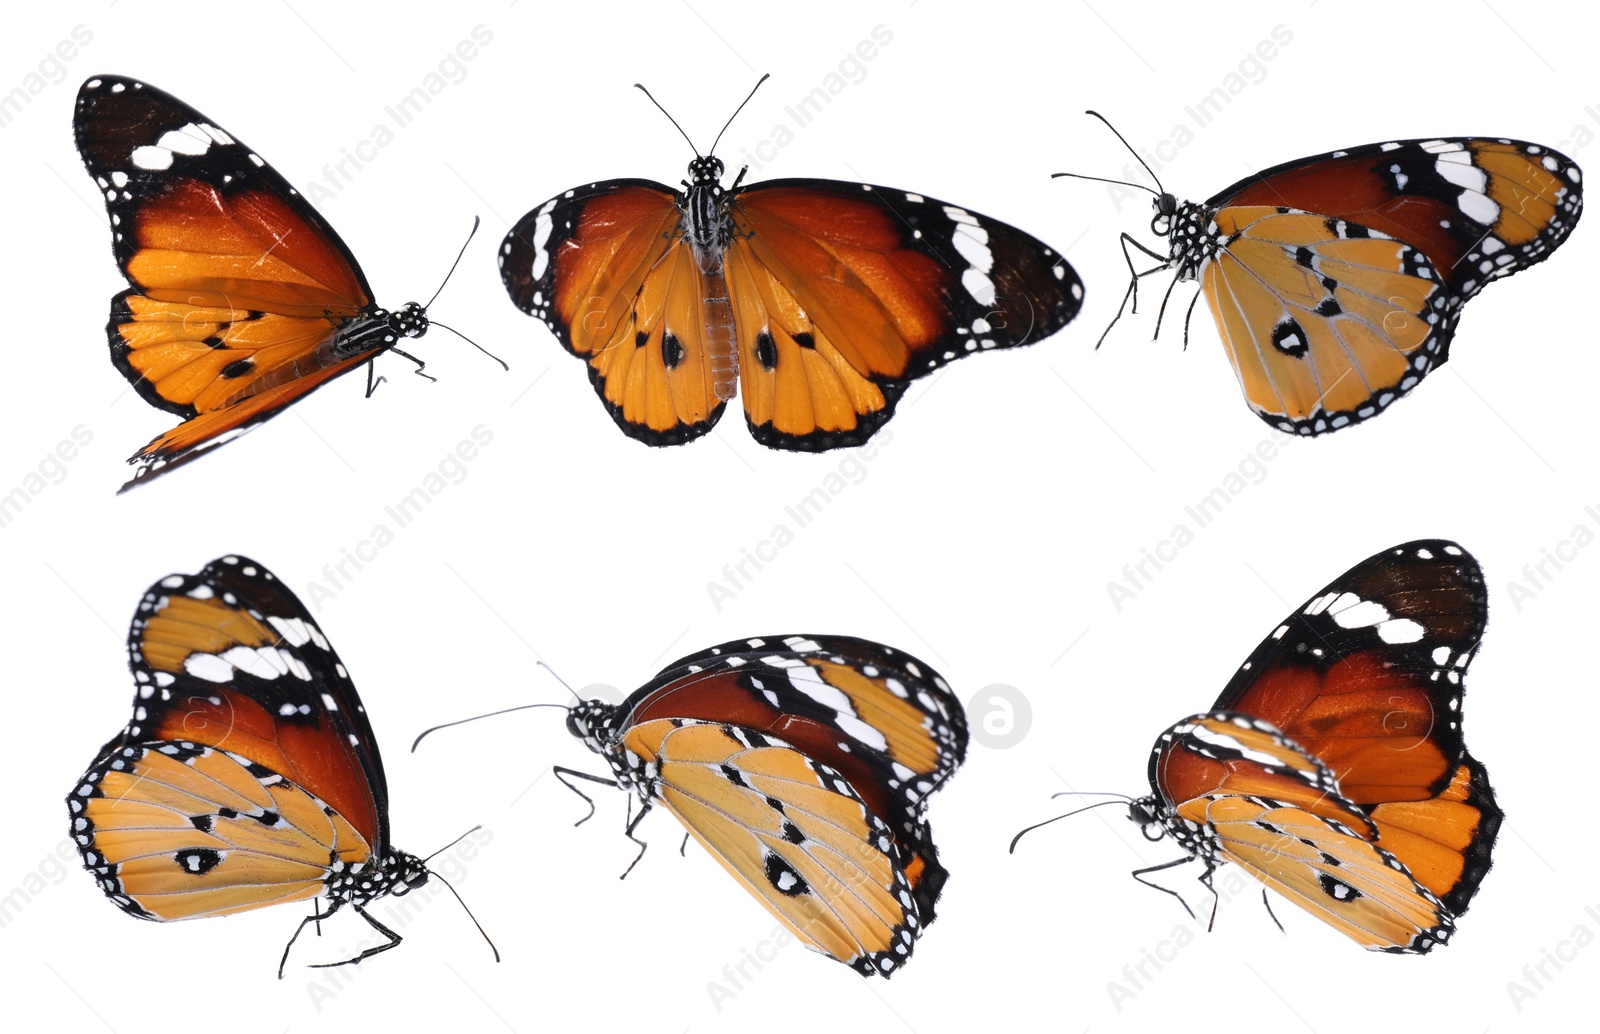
{"x":1369,"y":679}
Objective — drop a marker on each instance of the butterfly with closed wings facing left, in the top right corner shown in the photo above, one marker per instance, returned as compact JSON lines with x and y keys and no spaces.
{"x":1337,"y":281}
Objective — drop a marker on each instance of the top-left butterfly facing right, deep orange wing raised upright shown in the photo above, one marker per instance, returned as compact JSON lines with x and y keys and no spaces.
{"x":242,"y":299}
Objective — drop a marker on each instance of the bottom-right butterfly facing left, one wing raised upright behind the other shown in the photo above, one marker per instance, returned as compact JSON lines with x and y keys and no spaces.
{"x":1334,"y":767}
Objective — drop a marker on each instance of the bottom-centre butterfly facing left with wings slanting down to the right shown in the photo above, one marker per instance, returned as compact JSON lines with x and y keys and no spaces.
{"x":804,"y":764}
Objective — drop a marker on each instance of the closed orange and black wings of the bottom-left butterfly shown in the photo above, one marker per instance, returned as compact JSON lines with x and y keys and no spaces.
{"x":249,"y":772}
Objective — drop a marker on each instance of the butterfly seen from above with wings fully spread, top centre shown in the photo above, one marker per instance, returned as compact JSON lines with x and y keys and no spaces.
{"x":817,"y":302}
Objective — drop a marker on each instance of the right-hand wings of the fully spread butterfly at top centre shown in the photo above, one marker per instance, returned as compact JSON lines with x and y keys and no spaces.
{"x":846,"y":292}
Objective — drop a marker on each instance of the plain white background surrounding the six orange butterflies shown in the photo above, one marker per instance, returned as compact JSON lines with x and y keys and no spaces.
{"x":982,"y":534}
